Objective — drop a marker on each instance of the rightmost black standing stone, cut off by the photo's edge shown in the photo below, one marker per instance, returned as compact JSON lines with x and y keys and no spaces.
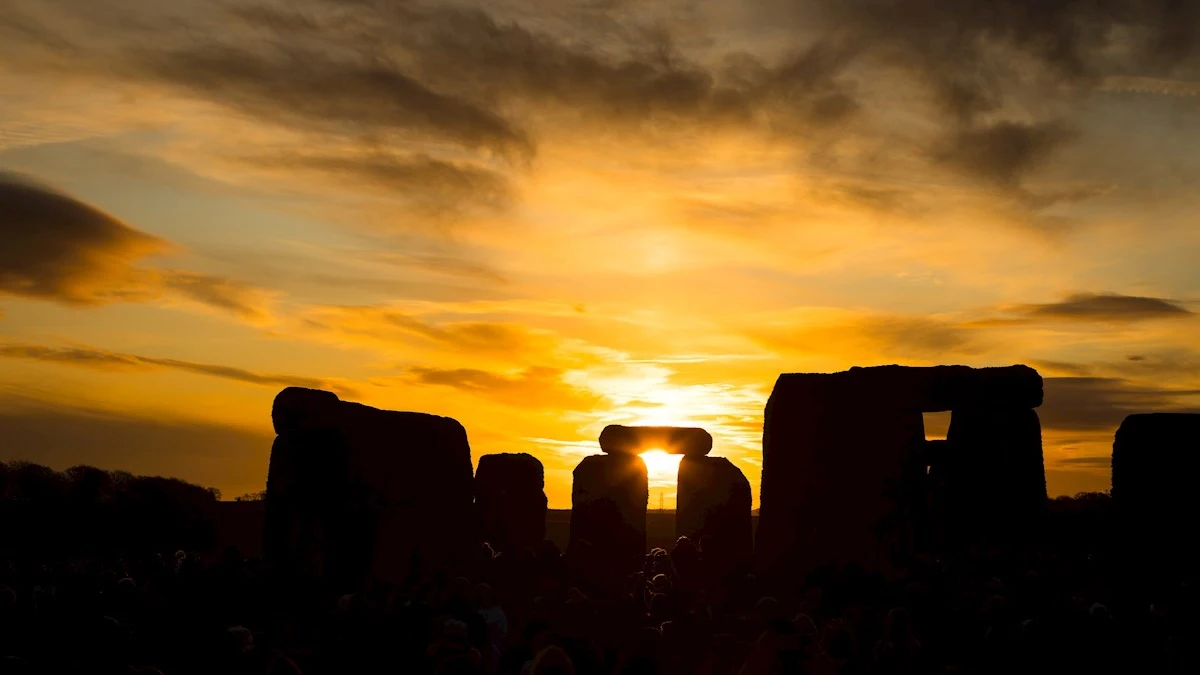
{"x":1156,"y":459}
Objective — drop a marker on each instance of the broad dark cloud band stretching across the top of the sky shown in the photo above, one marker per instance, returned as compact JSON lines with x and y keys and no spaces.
{"x":1003,"y":77}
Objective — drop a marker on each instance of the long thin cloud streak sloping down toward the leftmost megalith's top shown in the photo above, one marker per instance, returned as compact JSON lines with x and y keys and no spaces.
{"x":104,"y":360}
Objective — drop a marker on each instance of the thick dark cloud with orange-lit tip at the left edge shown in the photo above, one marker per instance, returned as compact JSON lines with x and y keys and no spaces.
{"x":62,"y":249}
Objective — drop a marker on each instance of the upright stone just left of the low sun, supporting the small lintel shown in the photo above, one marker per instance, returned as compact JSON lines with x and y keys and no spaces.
{"x":609,"y":500}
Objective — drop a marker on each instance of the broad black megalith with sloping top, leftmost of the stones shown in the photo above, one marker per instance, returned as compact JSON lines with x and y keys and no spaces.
{"x":352,"y":489}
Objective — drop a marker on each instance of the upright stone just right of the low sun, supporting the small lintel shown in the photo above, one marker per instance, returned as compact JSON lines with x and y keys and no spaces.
{"x":715,"y":501}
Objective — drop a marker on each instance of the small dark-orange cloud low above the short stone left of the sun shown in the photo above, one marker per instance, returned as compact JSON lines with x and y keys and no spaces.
{"x":537,"y":387}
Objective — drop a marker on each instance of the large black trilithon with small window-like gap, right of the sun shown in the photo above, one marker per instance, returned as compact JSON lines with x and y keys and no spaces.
{"x":847,"y":470}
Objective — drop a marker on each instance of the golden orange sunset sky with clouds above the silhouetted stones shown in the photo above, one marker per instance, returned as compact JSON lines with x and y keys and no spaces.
{"x":544,"y":217}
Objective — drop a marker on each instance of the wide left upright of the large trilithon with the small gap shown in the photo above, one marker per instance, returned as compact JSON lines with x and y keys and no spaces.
{"x":841,"y":476}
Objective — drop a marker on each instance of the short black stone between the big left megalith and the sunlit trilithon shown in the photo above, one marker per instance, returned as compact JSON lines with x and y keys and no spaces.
{"x":511,"y":501}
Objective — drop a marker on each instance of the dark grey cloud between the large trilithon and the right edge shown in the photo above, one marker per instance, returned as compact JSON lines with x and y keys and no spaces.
{"x":1093,"y":404}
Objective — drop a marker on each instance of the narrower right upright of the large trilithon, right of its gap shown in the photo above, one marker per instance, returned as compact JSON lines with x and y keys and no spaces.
{"x":995,"y":486}
